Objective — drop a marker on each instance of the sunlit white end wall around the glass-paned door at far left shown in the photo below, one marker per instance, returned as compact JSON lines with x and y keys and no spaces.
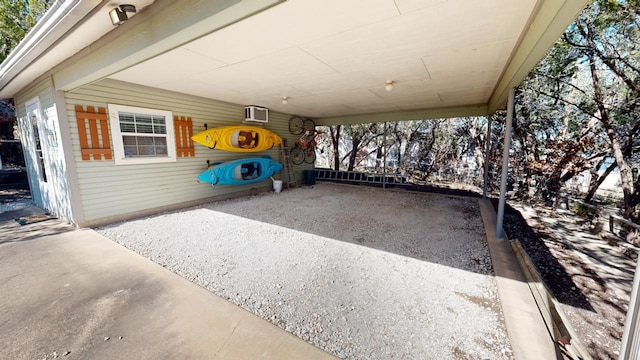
{"x":54,"y":194}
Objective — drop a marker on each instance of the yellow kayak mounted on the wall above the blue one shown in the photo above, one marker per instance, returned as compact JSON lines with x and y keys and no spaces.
{"x":241,"y":138}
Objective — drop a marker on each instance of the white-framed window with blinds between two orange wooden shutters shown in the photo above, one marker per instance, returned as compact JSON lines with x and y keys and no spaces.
{"x":141,"y":136}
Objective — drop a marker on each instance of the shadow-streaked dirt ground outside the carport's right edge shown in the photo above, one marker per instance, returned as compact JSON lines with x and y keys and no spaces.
{"x":590,"y":277}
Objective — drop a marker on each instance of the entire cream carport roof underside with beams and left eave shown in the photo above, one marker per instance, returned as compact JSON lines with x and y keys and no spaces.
{"x":331,"y":58}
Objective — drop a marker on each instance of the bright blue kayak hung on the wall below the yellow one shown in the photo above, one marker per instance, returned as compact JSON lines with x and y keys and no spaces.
{"x":243,"y":171}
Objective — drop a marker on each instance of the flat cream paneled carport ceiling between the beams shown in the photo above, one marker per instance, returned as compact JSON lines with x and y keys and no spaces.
{"x":332,"y":58}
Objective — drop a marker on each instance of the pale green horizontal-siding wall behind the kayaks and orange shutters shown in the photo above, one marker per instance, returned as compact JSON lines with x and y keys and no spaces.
{"x":110,"y":192}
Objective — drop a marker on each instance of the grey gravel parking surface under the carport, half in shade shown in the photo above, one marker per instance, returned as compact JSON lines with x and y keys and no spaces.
{"x":363,"y":273}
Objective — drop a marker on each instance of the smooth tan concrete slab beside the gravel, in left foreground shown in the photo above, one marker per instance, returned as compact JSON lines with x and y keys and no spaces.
{"x":74,"y":294}
